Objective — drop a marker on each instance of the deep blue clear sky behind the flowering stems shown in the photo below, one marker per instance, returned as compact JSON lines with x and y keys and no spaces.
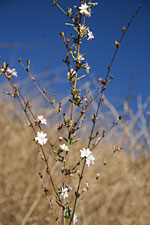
{"x":30,"y":29}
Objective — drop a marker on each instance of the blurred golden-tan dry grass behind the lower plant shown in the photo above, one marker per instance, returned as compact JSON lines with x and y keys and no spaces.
{"x":121,"y":196}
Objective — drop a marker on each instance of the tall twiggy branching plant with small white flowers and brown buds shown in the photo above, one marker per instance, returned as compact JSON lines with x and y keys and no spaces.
{"x":78,"y":68}
